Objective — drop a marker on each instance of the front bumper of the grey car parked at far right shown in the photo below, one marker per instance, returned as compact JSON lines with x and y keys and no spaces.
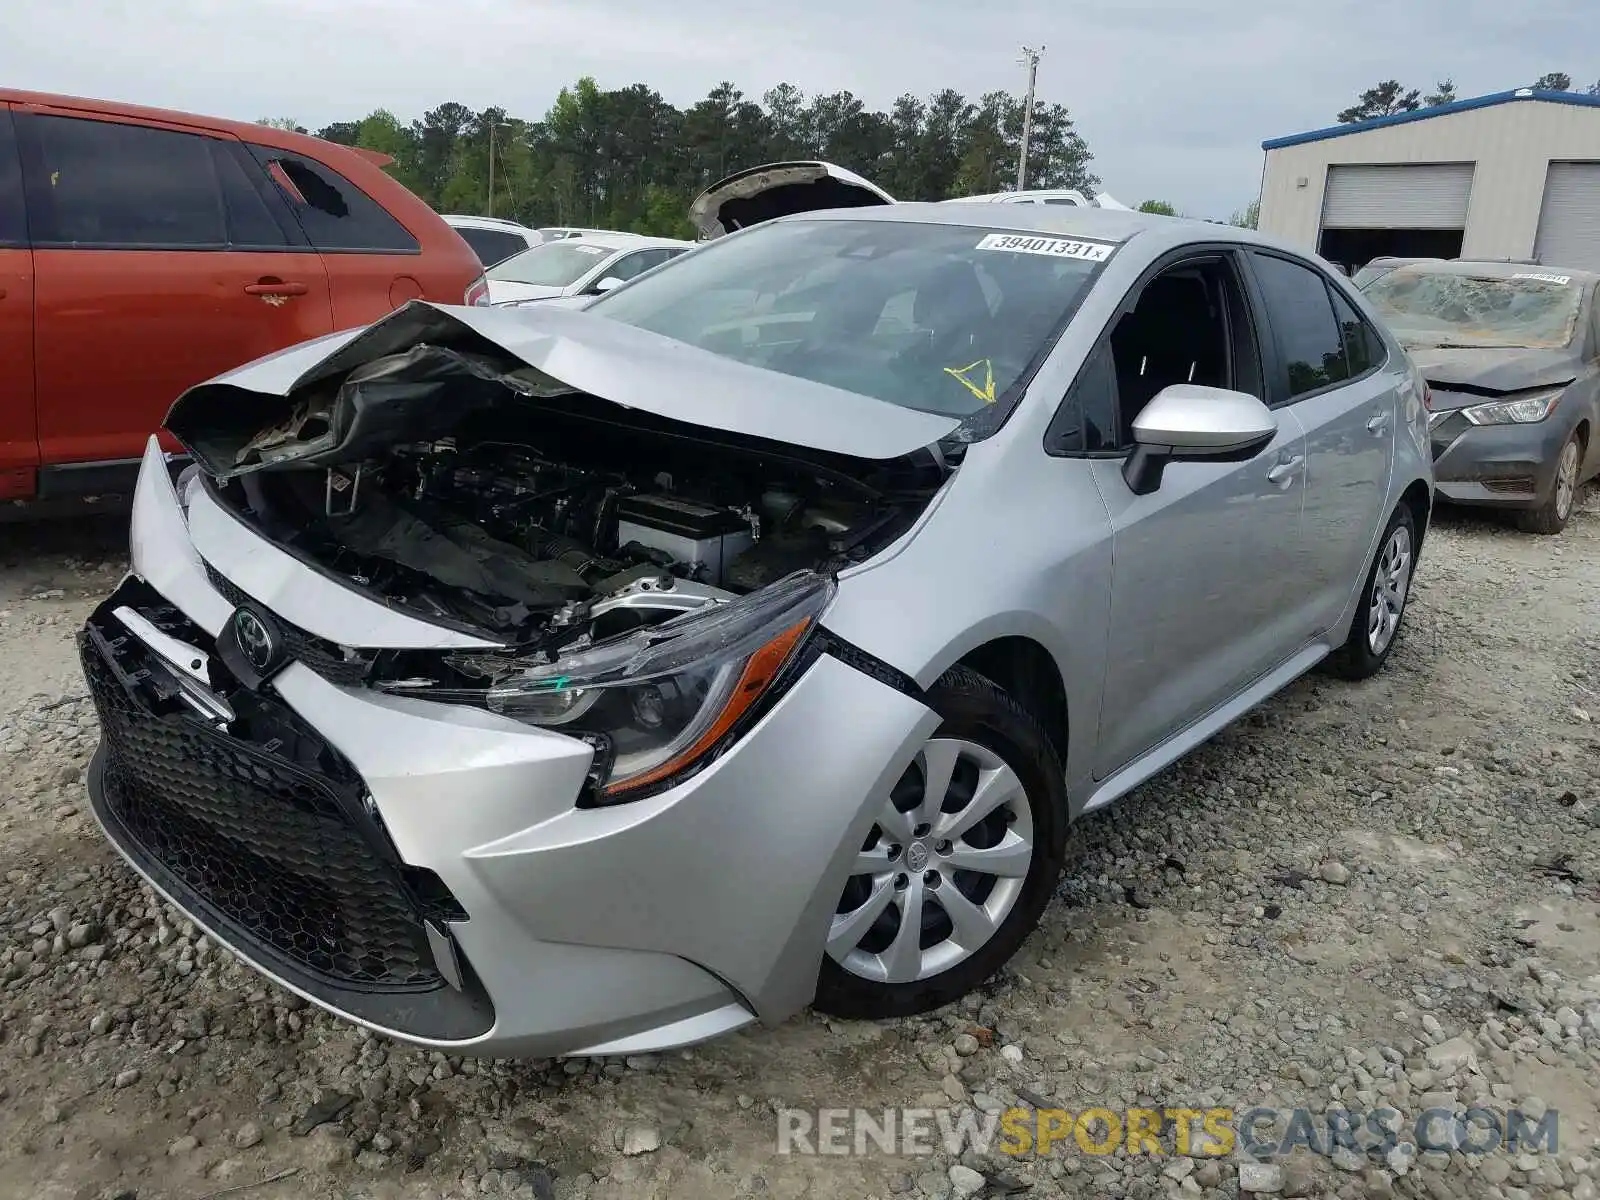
{"x":1502,"y":466}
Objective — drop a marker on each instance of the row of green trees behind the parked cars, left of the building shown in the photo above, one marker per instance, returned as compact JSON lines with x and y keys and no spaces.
{"x":628,"y":159}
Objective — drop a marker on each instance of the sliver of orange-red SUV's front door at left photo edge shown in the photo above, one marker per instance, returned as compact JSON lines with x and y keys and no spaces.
{"x":18,"y":433}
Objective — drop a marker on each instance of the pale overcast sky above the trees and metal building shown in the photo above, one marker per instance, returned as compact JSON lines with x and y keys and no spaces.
{"x":1174,"y":98}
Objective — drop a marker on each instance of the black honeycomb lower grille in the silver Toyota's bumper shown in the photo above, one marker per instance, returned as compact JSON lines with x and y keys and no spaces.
{"x":258,"y":826}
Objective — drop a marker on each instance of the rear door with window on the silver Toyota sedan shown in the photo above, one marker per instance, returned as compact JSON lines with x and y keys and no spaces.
{"x":1330,"y":375}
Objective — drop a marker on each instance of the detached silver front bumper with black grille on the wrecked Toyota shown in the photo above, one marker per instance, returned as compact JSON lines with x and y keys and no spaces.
{"x":506,"y":921}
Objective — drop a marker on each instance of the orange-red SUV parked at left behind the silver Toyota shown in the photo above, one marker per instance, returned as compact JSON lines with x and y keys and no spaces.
{"x":143,"y":252}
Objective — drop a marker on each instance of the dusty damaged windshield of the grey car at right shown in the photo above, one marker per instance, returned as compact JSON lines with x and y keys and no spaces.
{"x":1431,"y":310}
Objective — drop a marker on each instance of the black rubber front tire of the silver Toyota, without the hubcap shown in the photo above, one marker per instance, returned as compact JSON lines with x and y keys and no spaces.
{"x":977,"y":711}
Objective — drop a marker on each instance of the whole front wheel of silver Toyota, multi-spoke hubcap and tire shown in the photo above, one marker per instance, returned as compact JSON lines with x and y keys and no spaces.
{"x":959,"y":865}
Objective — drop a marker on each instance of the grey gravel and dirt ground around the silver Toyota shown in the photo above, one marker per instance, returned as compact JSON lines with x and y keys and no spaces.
{"x":1358,"y":897}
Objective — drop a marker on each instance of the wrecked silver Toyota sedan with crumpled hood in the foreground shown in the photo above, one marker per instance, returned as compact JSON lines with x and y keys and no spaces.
{"x":590,"y":682}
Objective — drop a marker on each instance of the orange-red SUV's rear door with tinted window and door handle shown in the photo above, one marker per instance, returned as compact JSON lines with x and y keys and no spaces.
{"x":158,"y":266}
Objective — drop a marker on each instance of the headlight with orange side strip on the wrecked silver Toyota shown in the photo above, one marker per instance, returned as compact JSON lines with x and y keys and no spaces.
{"x":660,"y":700}
